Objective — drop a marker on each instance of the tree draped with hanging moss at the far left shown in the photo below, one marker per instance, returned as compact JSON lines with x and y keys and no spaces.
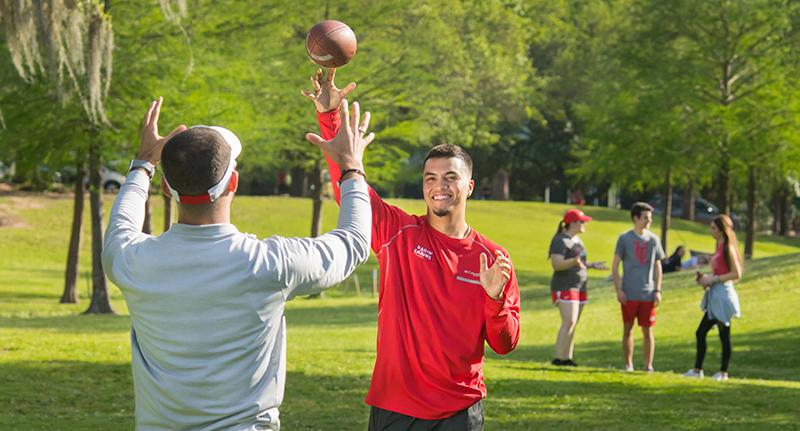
{"x":48,"y":38}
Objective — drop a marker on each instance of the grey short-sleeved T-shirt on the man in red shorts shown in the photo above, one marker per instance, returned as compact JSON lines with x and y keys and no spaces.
{"x":639,"y":256}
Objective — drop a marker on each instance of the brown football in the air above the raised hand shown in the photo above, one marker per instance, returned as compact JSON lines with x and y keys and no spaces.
{"x":331,"y":43}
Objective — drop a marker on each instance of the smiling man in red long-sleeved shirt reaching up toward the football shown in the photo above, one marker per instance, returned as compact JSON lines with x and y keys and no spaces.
{"x":444,"y":289}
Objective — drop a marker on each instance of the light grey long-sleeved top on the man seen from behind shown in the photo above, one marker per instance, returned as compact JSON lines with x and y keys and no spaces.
{"x":208,"y":334}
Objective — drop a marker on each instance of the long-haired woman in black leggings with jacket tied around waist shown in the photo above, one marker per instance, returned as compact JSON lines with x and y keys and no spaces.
{"x":720,"y":302}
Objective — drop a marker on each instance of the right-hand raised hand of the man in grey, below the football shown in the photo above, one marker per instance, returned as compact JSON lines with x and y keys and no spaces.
{"x":347,"y":147}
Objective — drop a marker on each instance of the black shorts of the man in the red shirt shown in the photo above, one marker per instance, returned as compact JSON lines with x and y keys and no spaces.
{"x":469,"y":419}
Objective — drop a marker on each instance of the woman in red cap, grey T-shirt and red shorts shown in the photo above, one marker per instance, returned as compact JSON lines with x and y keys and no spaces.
{"x":568,"y":285}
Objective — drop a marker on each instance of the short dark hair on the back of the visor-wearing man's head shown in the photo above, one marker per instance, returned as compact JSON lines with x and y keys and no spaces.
{"x":194,"y":160}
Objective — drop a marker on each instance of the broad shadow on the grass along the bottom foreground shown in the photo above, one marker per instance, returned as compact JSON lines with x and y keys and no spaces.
{"x":88,"y":396}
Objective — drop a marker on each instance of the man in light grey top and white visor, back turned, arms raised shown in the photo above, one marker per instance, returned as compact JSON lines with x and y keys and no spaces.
{"x":208,"y":334}
